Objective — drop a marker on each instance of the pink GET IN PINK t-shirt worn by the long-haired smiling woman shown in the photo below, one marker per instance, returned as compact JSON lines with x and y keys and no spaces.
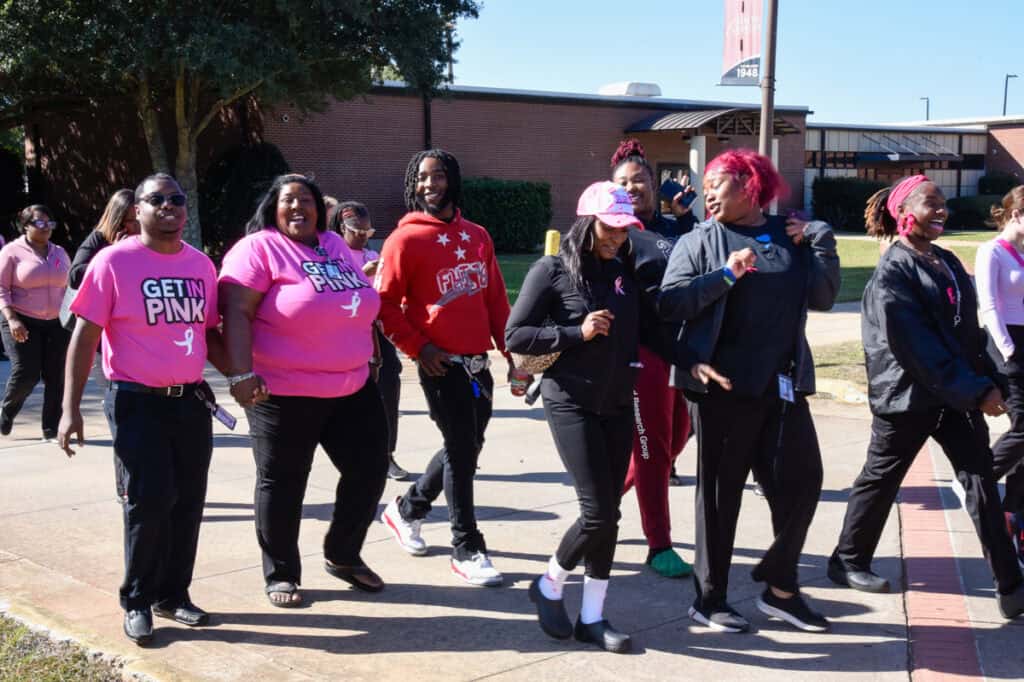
{"x":313,"y":331}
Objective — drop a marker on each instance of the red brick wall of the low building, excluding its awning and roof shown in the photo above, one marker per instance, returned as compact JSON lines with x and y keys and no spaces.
{"x":359,"y":150}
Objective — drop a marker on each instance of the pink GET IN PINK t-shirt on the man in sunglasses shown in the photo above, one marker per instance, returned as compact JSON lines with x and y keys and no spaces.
{"x":155,"y":310}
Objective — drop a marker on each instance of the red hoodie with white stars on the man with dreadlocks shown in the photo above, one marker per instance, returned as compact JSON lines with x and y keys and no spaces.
{"x":440,"y":283}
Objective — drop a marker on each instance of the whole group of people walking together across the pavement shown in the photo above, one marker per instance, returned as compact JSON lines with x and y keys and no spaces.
{"x":646,"y":328}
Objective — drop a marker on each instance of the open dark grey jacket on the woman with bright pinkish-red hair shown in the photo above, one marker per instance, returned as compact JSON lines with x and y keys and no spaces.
{"x":695,"y":292}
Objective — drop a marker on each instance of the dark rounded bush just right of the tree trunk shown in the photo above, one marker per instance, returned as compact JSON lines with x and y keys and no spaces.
{"x":230,"y":191}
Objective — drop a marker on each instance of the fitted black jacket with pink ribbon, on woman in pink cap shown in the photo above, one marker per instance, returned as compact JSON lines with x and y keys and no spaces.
{"x":596,"y":375}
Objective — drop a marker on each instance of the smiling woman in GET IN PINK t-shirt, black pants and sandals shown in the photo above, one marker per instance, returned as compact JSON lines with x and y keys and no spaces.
{"x":300,"y":319}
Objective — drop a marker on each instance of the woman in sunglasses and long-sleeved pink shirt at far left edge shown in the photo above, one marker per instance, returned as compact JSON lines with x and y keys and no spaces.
{"x":33,"y":278}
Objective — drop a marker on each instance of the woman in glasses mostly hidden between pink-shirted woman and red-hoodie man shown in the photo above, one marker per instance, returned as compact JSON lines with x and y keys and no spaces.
{"x":352,"y":221}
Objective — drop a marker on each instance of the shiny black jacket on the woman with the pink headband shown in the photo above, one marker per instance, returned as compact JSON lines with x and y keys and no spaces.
{"x":917,"y":359}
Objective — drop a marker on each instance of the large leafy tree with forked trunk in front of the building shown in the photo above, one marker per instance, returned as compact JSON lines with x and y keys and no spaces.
{"x":189,"y":60}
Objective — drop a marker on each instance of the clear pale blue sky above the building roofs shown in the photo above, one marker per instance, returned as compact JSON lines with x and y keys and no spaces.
{"x":849,"y":61}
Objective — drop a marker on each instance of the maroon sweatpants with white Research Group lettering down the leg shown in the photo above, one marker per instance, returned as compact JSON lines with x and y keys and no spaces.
{"x":661,"y":428}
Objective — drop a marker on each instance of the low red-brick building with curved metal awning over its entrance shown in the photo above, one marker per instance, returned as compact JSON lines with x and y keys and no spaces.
{"x":360,"y":149}
